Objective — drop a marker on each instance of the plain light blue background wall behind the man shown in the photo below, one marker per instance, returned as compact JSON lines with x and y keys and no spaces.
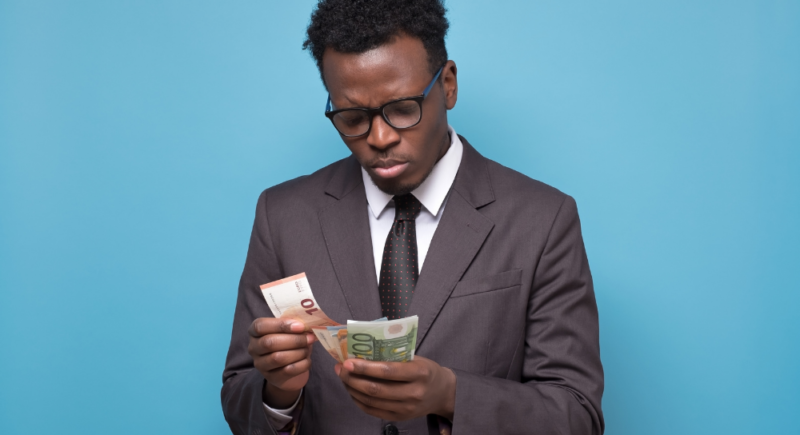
{"x":136,"y":136}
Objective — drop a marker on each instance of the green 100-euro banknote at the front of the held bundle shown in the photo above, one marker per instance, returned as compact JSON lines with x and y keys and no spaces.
{"x":393,"y":340}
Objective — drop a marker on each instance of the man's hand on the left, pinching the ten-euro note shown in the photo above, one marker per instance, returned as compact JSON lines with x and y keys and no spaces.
{"x":281,"y":351}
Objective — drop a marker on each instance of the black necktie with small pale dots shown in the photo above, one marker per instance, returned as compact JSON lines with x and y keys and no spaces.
{"x":399,"y":270}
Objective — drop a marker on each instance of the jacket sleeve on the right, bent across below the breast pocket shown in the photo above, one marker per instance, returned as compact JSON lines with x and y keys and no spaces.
{"x":561,"y":375}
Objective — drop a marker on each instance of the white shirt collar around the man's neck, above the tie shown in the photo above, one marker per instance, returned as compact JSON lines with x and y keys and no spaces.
{"x":432,"y":192}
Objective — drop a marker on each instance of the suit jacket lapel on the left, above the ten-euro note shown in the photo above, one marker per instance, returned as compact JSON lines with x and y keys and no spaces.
{"x":345,"y":226}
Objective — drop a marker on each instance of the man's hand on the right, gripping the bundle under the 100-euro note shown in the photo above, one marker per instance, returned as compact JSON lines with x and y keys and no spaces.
{"x":399,"y":391}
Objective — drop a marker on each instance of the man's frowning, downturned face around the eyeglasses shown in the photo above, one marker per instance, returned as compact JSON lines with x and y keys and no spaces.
{"x":397,"y":160}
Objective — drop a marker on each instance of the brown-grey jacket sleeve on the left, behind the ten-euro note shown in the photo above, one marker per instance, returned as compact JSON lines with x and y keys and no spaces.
{"x":242,"y":384}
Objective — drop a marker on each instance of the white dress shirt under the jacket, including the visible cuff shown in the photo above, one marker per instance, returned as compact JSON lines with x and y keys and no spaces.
{"x":432,"y":193}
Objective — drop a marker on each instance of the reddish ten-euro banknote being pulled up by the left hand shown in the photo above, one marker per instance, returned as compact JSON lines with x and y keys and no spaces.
{"x":292,"y":298}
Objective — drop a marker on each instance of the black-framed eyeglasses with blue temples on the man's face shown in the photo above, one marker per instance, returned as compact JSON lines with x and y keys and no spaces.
{"x":400,"y":113}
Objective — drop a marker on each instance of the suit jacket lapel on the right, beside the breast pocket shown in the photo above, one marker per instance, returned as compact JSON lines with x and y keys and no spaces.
{"x":458,"y":238}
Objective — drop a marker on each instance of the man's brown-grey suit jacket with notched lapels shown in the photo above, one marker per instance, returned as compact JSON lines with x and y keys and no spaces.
{"x":504,"y":298}
